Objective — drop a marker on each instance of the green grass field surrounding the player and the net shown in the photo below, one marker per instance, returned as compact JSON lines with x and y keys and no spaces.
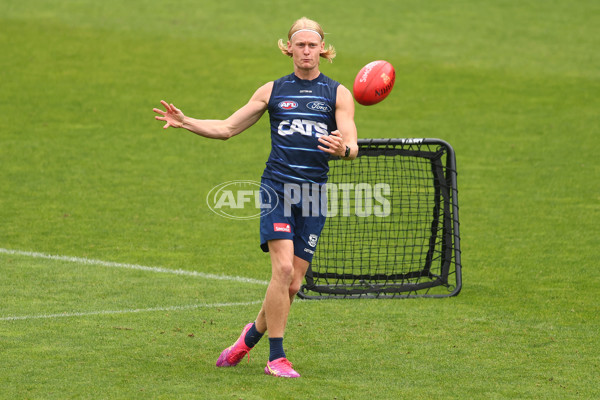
{"x":86,"y":173}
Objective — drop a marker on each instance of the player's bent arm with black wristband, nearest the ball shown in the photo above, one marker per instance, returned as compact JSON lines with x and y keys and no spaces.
{"x":346,"y":134}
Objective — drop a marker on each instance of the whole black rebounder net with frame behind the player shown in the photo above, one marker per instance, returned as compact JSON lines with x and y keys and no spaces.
{"x":392,"y":227}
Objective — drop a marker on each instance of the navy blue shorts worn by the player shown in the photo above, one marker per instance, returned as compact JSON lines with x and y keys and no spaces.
{"x":293,"y":212}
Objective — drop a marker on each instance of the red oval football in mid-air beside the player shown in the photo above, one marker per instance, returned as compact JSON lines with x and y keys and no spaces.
{"x":374,"y":82}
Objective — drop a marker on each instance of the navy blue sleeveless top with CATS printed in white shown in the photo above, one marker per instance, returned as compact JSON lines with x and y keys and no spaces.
{"x":300,"y":111}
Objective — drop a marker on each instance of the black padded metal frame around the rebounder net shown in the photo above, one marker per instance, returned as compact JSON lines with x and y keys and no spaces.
{"x":445,"y":182}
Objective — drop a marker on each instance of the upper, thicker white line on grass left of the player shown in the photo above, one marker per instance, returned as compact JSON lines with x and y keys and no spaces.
{"x":88,"y":261}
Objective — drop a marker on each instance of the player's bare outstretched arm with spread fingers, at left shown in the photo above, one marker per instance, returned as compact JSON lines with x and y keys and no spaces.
{"x":239,"y":121}
